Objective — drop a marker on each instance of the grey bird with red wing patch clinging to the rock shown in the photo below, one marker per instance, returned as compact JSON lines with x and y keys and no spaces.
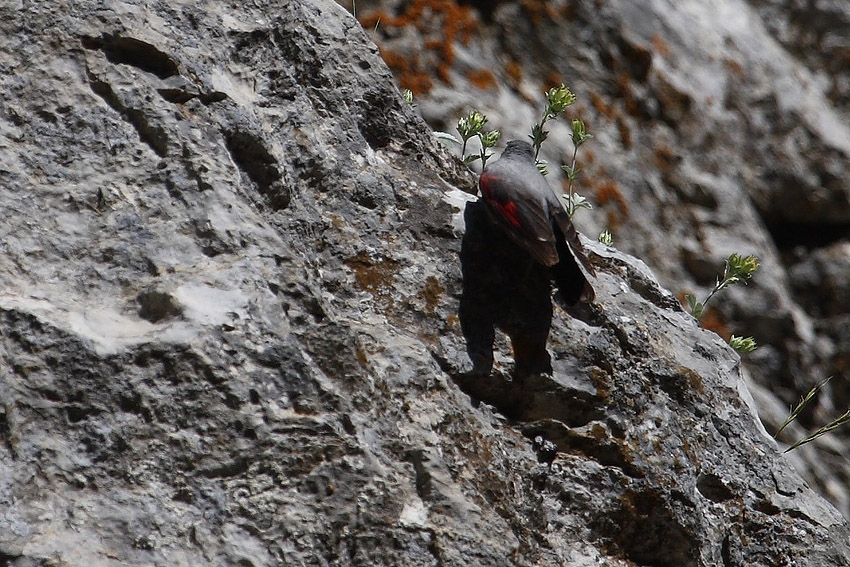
{"x":519,"y":200}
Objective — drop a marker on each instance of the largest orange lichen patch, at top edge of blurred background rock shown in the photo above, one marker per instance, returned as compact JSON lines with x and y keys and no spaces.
{"x":441,"y":23}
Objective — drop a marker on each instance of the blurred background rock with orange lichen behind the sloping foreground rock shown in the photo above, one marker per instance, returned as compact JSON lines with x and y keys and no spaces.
{"x":719,"y":127}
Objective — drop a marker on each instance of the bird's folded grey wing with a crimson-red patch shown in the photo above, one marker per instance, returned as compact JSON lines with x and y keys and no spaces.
{"x":521,"y":214}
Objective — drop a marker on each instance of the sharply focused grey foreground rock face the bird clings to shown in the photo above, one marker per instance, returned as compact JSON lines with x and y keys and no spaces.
{"x":229,"y":335}
